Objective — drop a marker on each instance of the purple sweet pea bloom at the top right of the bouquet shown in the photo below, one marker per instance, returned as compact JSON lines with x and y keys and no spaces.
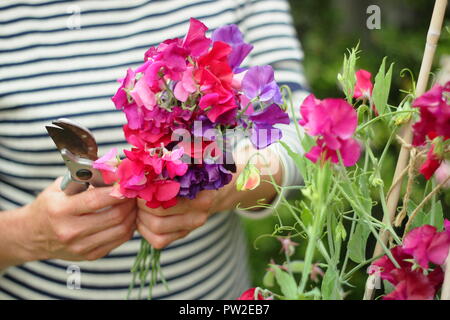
{"x":231,"y":35}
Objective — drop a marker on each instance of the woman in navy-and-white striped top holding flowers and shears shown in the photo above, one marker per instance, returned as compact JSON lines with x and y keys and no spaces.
{"x":61,"y":59}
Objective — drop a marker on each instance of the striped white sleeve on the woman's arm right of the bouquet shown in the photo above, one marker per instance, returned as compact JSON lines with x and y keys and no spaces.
{"x":275,"y":43}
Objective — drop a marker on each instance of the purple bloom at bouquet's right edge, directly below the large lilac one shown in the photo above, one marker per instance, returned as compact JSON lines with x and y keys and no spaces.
{"x":263,"y":132}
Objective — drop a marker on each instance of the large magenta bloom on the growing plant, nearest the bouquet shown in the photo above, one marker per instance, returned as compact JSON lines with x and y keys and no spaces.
{"x":334,"y":121}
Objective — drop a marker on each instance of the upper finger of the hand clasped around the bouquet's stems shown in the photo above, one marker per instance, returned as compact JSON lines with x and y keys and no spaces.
{"x":174,"y":223}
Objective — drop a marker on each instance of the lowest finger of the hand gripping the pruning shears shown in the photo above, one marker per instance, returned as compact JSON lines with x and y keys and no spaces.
{"x":102,"y":238}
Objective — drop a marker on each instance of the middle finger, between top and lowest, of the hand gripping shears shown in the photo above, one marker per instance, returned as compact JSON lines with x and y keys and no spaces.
{"x":96,"y":222}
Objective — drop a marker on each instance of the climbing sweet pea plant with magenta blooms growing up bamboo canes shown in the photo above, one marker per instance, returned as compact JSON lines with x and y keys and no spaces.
{"x":344,"y":180}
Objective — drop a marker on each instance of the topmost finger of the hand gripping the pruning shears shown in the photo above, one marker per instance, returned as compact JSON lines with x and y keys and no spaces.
{"x":91,"y":200}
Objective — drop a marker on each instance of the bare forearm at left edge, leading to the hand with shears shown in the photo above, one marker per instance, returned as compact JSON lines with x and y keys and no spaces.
{"x":13,"y":244}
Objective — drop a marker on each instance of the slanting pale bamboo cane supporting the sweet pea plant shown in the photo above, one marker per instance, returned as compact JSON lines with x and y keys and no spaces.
{"x":434,"y":33}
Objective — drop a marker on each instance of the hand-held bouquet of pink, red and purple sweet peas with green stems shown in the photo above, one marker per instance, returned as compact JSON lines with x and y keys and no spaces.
{"x":178,"y":104}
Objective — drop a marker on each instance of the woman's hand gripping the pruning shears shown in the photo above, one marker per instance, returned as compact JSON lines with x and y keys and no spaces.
{"x":85,"y":226}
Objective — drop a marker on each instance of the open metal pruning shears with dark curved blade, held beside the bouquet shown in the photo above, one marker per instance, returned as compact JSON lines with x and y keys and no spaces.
{"x":78,"y":149}
